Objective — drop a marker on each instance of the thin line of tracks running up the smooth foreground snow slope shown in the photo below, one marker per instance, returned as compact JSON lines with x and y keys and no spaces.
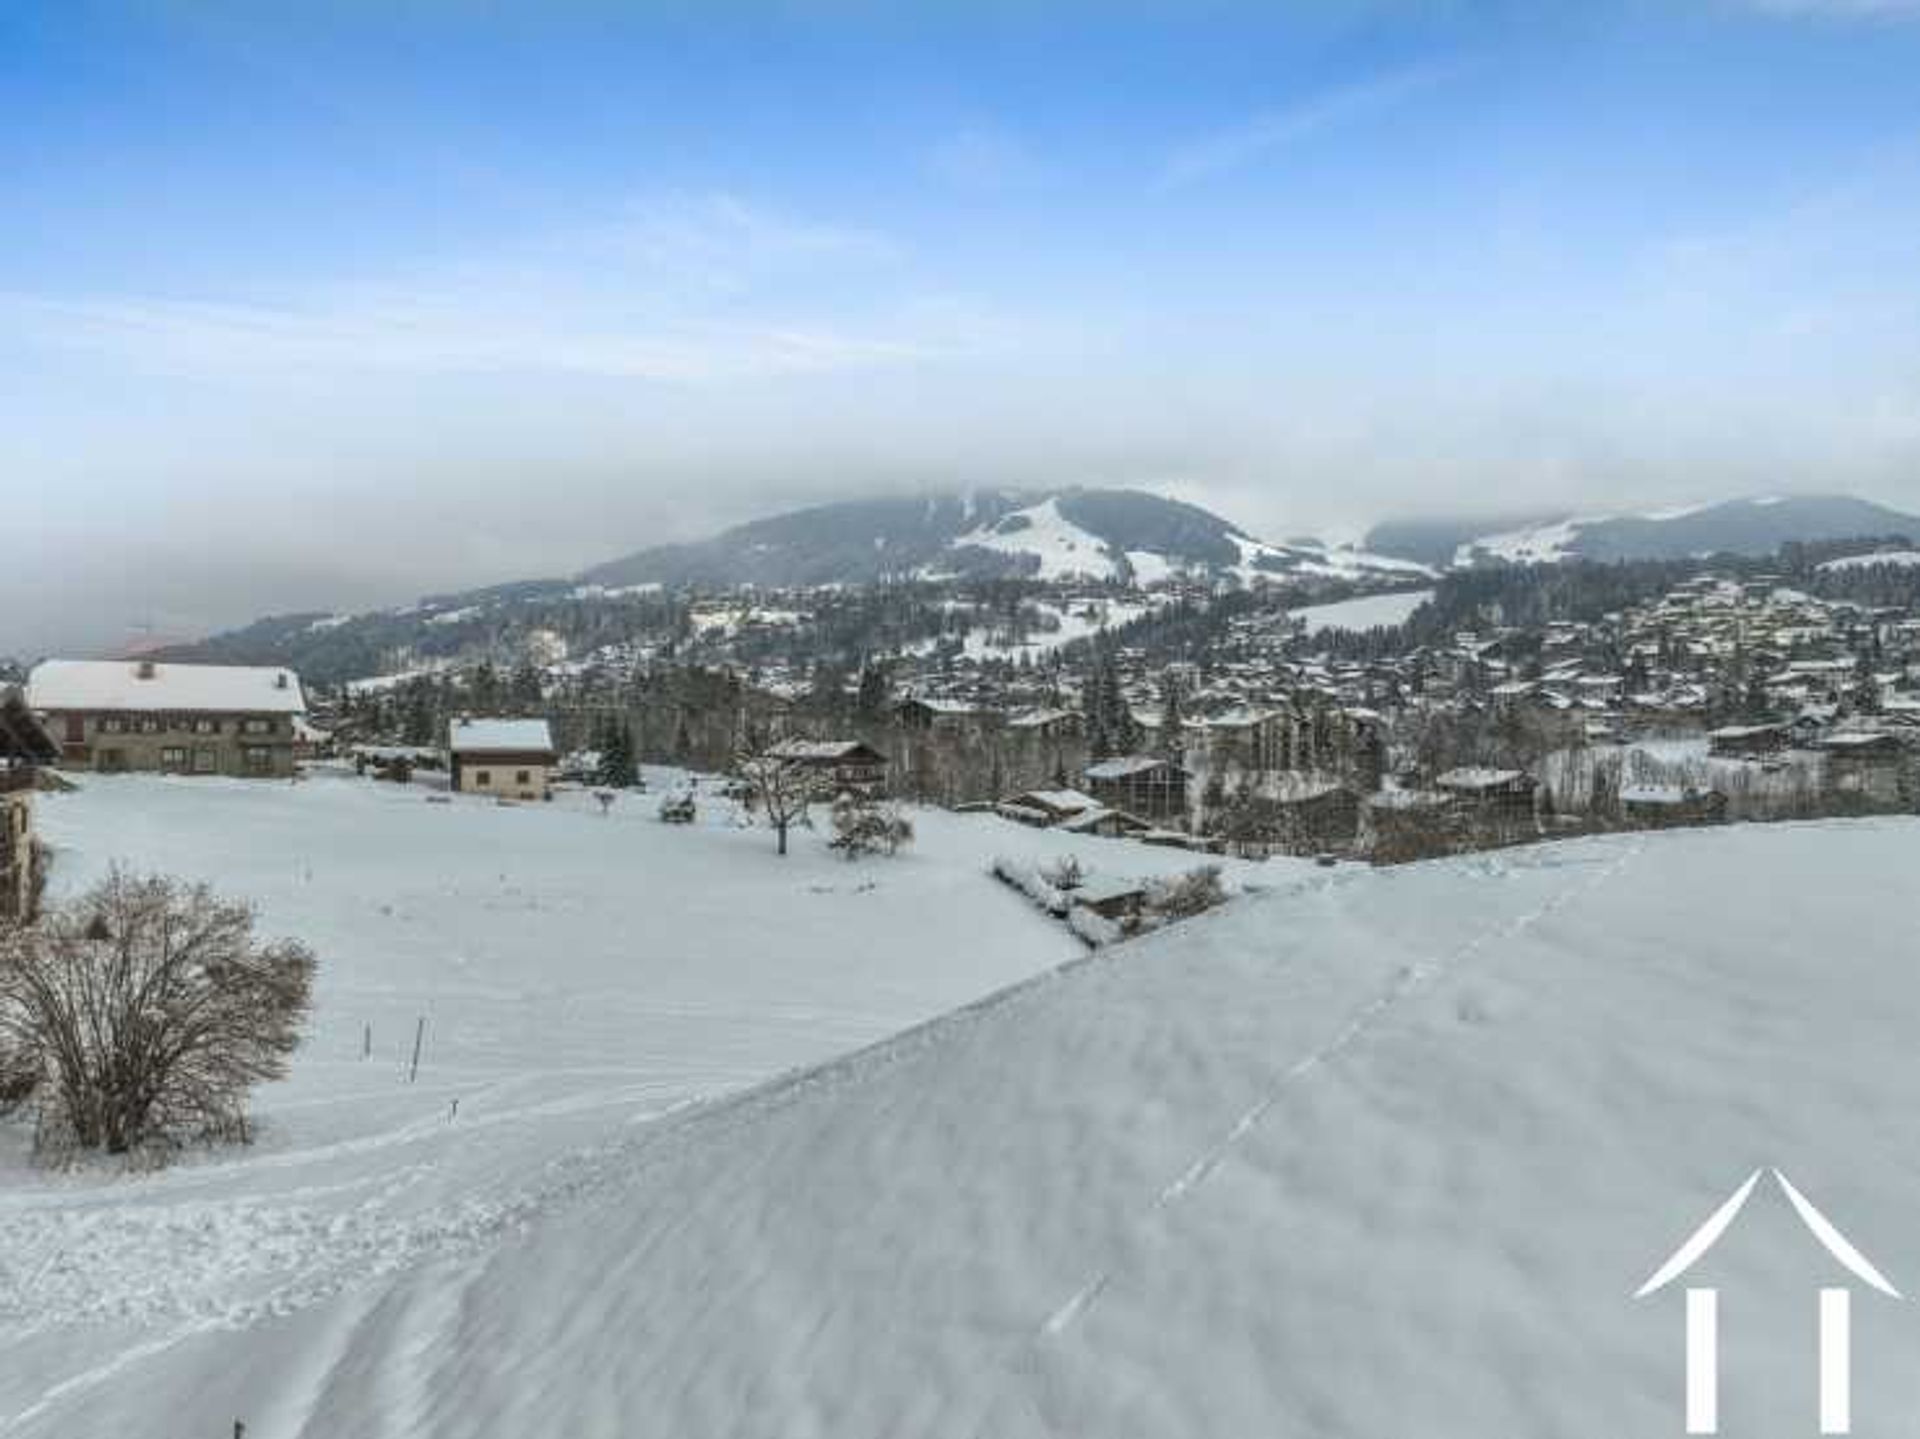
{"x":1410,"y":983}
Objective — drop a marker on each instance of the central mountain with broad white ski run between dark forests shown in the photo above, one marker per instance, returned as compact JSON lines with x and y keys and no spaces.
{"x":1049,"y":535}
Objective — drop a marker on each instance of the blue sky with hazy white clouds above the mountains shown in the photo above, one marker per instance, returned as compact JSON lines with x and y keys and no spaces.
{"x":544,"y":283}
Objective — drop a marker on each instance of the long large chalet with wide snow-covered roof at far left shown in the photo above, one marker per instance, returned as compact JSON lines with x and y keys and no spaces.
{"x":178,"y":719}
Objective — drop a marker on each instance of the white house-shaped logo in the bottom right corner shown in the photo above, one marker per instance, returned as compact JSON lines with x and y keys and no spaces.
{"x":1704,"y":1309}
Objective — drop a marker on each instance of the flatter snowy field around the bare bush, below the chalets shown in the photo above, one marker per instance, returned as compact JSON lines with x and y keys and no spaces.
{"x":579,"y":977}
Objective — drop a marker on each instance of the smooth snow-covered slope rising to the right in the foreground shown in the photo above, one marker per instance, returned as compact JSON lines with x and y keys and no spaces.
{"x":1380,"y":1154}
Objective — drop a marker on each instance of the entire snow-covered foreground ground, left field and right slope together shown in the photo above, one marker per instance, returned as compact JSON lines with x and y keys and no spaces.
{"x":1372,"y":1154}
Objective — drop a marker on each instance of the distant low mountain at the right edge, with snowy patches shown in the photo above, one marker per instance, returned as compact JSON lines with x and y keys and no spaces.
{"x":1735,"y":527}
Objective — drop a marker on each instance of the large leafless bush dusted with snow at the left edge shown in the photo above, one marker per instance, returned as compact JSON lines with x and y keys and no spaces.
{"x":147,"y":1010}
